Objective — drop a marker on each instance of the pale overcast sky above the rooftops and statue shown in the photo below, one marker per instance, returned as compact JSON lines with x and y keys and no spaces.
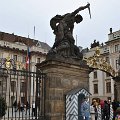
{"x":20,"y":17}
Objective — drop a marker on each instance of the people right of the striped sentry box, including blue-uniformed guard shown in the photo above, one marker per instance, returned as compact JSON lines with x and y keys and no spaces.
{"x":102,"y":109}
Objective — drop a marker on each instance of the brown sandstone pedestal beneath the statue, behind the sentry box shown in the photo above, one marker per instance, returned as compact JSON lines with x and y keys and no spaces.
{"x":62,"y":76}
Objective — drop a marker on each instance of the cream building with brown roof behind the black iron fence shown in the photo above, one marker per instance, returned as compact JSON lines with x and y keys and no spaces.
{"x":15,"y":48}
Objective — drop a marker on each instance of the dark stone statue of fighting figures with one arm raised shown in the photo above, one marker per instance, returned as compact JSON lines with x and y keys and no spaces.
{"x":63,"y":26}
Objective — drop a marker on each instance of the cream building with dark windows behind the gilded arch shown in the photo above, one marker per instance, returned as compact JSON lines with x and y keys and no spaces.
{"x":101,"y":84}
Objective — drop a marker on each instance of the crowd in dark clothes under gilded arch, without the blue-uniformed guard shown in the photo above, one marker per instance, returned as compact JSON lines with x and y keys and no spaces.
{"x":107,"y":107}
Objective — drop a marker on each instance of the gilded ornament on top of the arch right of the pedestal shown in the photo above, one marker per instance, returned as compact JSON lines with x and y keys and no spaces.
{"x":97,"y":62}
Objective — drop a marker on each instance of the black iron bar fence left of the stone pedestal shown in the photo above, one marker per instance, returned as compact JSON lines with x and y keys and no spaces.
{"x":24,"y":92}
